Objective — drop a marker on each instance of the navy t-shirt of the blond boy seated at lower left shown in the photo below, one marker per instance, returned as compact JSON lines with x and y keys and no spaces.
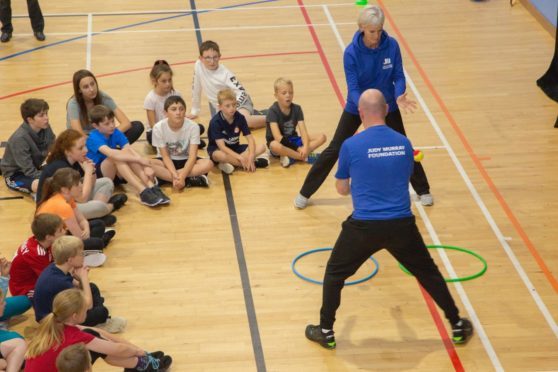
{"x":51,"y":282}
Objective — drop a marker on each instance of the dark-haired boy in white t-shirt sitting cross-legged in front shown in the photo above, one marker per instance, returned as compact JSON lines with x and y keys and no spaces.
{"x":177,"y":139}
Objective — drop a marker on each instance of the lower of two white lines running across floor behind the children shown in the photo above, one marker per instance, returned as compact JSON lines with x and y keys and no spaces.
{"x":189,"y":30}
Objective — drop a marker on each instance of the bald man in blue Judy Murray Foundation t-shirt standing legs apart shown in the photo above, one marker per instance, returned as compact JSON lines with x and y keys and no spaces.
{"x":374,"y":167}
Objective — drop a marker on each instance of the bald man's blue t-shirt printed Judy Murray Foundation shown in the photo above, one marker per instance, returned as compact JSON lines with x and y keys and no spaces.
{"x":379,"y":161}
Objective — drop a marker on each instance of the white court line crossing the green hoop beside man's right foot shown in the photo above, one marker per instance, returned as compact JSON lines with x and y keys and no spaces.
{"x":462,"y":294}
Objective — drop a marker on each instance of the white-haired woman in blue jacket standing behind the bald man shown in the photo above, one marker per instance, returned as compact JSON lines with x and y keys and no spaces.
{"x":372,"y":60}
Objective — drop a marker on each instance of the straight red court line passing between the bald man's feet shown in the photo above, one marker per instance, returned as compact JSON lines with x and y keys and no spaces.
{"x":450,"y":349}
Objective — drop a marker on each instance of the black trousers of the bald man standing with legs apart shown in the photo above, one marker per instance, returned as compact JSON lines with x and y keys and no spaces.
{"x":358,"y":240}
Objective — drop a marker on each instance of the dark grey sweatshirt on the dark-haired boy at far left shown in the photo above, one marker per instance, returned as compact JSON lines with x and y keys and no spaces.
{"x":26,"y":151}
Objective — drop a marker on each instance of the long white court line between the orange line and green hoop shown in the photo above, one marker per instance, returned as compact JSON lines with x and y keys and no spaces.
{"x":488,"y":216}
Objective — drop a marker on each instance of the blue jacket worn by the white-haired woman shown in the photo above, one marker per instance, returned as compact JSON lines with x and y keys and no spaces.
{"x":380,"y":68}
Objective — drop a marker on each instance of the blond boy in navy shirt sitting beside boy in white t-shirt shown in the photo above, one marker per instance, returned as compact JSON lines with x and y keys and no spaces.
{"x":224,"y":138}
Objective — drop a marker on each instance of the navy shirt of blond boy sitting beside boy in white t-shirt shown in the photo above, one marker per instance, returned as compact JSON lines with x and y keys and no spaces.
{"x":220,"y":128}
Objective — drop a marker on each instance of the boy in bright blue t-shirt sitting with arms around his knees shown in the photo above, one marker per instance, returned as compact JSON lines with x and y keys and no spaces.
{"x":113,"y":156}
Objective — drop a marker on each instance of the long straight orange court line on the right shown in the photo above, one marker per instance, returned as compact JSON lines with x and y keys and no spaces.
{"x":491,"y":185}
